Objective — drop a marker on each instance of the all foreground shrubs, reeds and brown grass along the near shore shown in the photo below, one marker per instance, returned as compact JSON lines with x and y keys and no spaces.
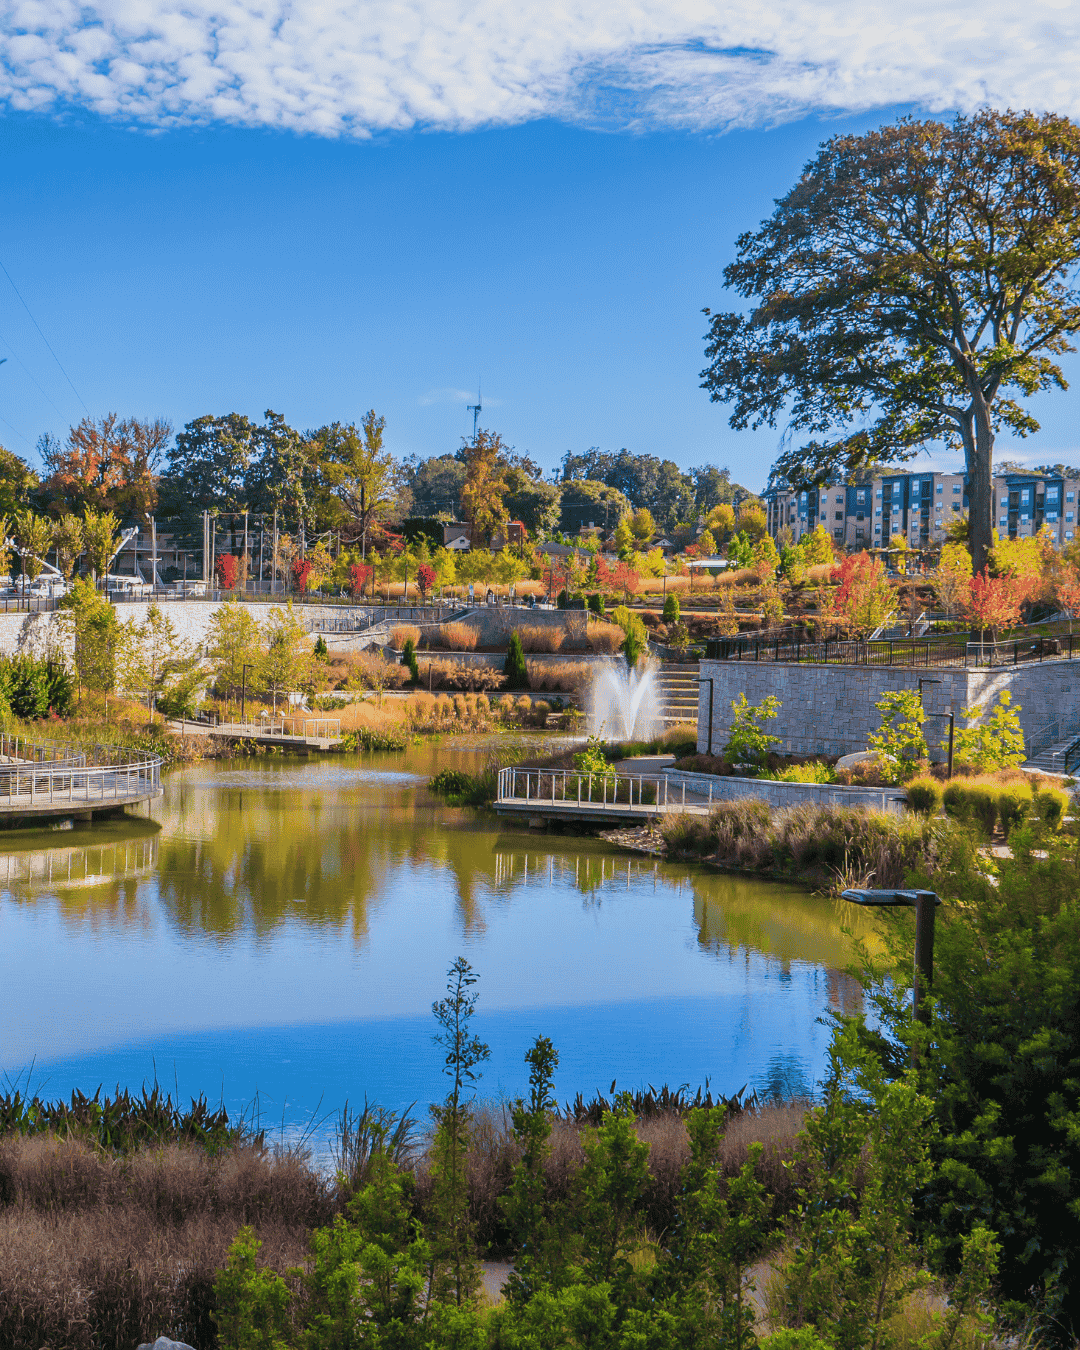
{"x":638,"y":1220}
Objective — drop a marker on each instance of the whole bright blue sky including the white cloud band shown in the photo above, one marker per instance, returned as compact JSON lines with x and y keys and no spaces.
{"x":206,"y":215}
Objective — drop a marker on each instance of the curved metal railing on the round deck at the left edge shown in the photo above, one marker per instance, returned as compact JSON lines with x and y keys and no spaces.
{"x":40,"y":774}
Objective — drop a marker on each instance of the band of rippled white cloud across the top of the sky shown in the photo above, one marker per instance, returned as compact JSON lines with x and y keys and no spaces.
{"x":356,"y":67}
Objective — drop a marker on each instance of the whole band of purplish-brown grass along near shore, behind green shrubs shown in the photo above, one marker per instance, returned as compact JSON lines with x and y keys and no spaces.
{"x":103,"y":1249}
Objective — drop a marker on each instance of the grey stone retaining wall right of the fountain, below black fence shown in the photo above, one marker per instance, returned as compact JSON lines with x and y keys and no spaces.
{"x":831,"y":709}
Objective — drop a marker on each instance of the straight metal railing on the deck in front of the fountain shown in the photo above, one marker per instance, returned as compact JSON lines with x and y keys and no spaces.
{"x":565,"y":788}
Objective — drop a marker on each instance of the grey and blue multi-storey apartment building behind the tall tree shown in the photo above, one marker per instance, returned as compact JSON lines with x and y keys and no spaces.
{"x":919,"y":508}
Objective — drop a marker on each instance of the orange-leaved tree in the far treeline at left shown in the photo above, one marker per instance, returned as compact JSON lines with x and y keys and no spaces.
{"x":106,"y":464}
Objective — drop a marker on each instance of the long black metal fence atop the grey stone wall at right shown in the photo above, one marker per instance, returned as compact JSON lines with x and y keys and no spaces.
{"x":894,"y":653}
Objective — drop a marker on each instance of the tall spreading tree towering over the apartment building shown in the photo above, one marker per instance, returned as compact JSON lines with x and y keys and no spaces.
{"x":917,"y":284}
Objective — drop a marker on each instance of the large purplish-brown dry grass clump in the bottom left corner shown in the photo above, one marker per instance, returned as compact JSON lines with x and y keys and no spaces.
{"x":102,"y":1252}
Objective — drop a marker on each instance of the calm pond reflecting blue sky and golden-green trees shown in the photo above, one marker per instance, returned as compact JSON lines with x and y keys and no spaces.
{"x":275,"y":931}
